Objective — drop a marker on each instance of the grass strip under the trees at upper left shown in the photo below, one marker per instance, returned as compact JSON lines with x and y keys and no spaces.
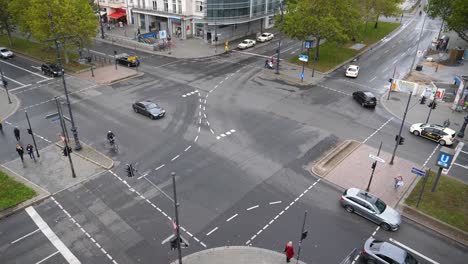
{"x":41,"y":52}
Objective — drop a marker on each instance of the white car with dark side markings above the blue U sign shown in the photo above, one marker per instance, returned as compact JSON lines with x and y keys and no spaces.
{"x":442,"y":135}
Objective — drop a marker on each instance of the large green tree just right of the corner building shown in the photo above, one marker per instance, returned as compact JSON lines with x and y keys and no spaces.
{"x":334,"y":20}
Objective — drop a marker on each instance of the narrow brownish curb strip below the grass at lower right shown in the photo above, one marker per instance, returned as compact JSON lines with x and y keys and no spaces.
{"x":436,"y":225}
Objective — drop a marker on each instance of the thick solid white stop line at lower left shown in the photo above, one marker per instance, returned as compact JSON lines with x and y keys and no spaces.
{"x":66,"y":253}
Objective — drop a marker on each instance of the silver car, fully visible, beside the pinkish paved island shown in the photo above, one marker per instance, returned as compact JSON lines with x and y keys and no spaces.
{"x":371,"y":207}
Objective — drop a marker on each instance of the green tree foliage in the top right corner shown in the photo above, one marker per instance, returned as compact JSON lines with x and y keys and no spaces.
{"x":454,"y":13}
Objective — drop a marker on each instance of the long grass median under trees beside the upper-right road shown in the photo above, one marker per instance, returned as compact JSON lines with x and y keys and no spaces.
{"x":331,"y":54}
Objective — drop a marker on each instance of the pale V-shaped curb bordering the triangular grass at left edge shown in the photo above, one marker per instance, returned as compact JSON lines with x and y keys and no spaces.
{"x":42,"y":194}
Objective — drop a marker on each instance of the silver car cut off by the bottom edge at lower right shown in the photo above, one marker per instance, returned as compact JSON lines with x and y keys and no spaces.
{"x":376,"y":251}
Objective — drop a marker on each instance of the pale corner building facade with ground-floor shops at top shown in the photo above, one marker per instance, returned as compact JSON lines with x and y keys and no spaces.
{"x":205,"y":19}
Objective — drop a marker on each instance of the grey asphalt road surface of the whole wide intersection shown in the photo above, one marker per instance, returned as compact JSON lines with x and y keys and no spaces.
{"x":240,"y":145}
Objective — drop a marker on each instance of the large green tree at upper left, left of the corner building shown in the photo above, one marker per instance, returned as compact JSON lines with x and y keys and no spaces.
{"x":72,"y":20}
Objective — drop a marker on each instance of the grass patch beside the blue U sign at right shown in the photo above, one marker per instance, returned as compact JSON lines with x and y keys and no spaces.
{"x":449,"y":203}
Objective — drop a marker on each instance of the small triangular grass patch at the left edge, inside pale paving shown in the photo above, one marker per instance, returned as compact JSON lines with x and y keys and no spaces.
{"x":13,"y":192}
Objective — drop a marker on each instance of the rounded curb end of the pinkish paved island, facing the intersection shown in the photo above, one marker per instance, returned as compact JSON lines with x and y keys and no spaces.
{"x":333,"y":155}
